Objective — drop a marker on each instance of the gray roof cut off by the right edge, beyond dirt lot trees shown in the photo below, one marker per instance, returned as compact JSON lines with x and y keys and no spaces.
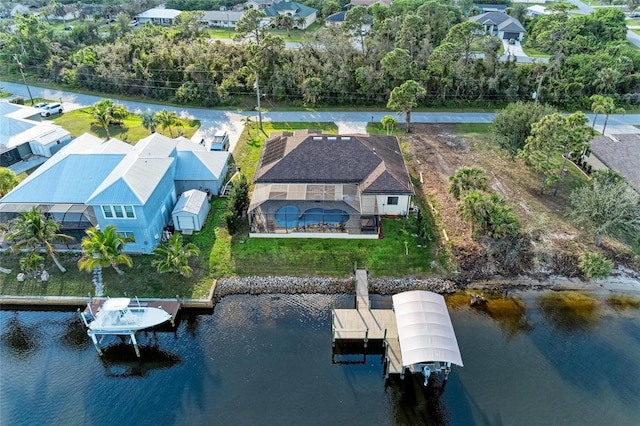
{"x":621,"y":153}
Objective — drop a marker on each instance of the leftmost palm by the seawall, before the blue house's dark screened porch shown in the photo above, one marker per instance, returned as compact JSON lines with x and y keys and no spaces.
{"x":32,"y":230}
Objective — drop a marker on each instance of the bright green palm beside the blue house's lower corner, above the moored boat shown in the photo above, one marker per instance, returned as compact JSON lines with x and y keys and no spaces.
{"x":104,"y":248}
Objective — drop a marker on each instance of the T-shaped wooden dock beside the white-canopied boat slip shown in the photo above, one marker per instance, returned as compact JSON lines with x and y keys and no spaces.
{"x":364,"y":324}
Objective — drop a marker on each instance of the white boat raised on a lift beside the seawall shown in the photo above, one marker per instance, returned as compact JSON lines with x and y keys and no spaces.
{"x":118,"y":316}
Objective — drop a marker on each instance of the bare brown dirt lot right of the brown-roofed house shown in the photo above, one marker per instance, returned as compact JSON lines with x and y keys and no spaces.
{"x":436,"y":151}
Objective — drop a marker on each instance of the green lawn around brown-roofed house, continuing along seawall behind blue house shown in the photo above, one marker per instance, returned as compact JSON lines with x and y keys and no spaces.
{"x":398,"y":254}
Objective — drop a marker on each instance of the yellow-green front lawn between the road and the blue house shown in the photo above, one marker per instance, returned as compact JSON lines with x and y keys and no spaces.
{"x":80,"y":121}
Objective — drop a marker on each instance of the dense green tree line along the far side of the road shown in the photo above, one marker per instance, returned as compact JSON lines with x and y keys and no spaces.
{"x":426,"y":41}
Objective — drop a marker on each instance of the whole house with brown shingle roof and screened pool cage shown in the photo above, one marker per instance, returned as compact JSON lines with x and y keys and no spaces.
{"x":313,"y":185}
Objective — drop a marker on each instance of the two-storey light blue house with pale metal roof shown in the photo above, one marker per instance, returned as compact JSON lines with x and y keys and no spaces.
{"x":92,"y":182}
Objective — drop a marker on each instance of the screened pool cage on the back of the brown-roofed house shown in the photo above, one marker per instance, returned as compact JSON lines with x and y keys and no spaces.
{"x":309,"y":208}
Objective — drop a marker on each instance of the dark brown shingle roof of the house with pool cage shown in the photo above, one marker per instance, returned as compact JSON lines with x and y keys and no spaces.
{"x":372,"y":161}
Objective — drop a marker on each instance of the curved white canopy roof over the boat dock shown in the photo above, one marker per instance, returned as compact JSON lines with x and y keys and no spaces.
{"x":424,"y":329}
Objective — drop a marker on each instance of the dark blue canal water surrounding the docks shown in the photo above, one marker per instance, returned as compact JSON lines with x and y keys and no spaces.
{"x":267,"y":360}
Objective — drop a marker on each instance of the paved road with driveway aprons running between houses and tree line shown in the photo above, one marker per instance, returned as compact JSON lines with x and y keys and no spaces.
{"x":347,"y":121}
